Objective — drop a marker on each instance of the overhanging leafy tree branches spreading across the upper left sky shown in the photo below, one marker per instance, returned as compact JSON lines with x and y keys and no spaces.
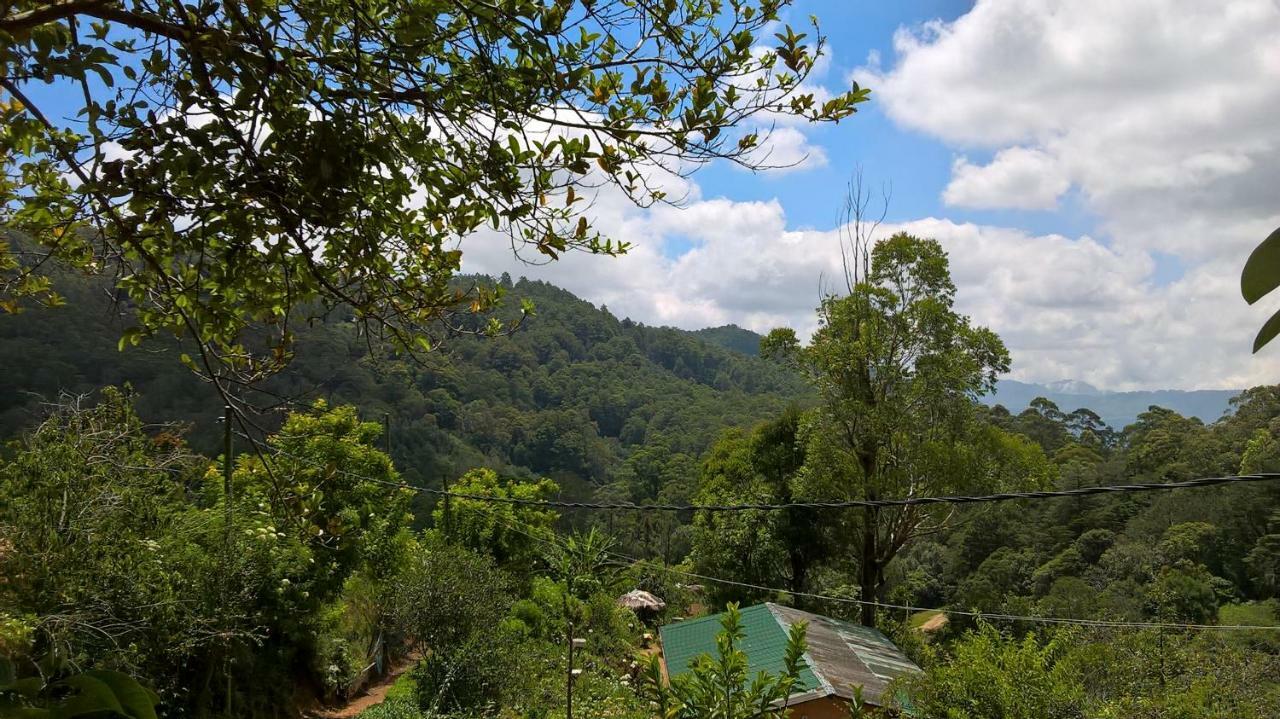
{"x":355,"y":145}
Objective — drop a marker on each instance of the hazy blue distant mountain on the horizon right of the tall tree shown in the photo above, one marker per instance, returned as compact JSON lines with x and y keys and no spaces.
{"x":1118,"y":409}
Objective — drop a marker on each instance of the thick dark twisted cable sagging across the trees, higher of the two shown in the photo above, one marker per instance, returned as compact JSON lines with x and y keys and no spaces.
{"x":843,"y":505}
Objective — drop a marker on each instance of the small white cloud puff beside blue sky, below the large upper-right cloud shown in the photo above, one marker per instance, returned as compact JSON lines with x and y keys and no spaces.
{"x":1017,"y":178}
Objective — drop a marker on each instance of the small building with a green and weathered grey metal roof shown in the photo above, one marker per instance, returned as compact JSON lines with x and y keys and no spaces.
{"x":840,"y":656}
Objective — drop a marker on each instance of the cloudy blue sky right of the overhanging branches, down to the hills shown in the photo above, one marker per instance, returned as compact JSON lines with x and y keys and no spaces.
{"x":1098,"y":171}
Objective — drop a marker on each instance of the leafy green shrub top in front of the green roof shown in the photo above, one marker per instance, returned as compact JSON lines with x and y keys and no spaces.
{"x":721,"y":686}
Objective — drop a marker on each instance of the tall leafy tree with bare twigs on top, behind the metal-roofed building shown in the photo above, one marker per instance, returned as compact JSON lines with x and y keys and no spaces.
{"x":898,"y":370}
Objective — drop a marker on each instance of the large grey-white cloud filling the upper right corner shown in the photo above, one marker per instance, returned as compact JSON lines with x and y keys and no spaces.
{"x":1155,"y":109}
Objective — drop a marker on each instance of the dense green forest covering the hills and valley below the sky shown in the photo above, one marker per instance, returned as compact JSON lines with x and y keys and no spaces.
{"x":319,"y":570}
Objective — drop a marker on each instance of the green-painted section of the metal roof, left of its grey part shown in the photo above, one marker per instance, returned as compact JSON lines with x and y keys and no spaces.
{"x":765,"y":644}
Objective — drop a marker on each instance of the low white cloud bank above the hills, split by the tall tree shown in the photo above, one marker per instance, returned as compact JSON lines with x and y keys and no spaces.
{"x":1067,"y":308}
